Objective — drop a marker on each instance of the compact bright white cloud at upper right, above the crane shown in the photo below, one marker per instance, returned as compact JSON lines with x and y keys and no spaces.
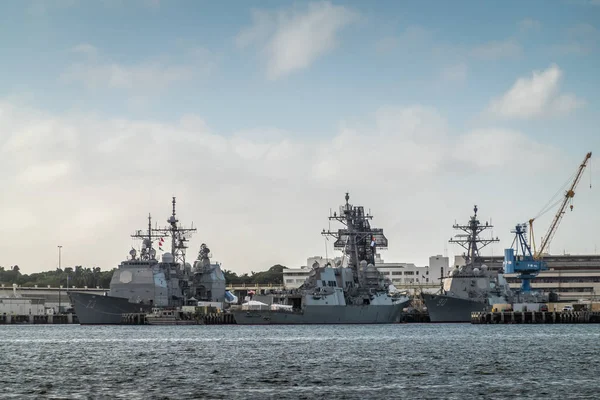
{"x":535,"y":96}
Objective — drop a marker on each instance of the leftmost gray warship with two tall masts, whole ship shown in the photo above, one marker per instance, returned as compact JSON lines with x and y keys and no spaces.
{"x":143,"y":283}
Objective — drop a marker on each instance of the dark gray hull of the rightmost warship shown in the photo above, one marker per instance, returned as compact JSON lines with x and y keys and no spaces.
{"x":442,"y":308}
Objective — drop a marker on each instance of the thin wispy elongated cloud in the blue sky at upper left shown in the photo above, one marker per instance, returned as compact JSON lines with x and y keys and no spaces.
{"x":100,"y":73}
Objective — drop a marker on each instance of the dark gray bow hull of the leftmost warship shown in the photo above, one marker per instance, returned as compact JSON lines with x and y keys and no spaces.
{"x":92,"y":309}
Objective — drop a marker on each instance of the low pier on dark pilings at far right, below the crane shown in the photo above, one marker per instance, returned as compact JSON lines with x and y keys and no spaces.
{"x":536,"y":317}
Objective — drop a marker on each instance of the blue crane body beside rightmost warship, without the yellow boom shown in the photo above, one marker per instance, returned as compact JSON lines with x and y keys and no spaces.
{"x":519,"y":259}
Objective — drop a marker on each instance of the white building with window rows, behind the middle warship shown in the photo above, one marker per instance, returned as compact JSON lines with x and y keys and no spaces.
{"x":402,"y":275}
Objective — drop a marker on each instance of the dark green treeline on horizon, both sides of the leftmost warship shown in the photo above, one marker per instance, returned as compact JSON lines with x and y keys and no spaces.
{"x":92,"y":277}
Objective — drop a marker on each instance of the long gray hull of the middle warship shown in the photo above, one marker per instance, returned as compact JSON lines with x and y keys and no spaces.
{"x":323,"y":315}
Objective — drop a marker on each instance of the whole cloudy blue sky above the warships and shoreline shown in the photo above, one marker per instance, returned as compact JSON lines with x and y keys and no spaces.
{"x":258,"y":116}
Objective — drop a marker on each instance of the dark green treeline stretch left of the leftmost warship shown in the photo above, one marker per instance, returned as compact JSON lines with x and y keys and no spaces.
{"x":78,"y":277}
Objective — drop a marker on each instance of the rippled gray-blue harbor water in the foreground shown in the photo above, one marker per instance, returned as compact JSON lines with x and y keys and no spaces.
{"x":420,"y":361}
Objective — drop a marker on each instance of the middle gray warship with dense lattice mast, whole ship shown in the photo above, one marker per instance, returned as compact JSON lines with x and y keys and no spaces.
{"x":351,"y":292}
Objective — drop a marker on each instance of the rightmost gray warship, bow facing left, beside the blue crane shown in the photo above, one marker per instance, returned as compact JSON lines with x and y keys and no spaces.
{"x":470,"y":287}
